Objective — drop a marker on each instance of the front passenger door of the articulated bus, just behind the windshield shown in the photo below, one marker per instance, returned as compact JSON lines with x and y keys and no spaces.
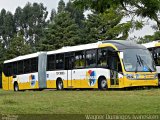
{"x":114,"y":66}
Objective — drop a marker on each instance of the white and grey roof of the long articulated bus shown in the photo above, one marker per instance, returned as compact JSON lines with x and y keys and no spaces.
{"x":120,"y":44}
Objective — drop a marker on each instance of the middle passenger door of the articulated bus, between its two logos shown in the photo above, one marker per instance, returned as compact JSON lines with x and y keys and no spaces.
{"x":69,"y":66}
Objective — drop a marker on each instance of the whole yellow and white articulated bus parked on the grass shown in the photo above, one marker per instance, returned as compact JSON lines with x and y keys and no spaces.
{"x":102,"y":65}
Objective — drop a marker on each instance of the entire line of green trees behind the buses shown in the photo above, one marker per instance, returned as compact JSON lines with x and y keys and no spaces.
{"x":30,"y":29}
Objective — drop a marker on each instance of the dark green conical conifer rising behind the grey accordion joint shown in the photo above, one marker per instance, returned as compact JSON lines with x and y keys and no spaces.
{"x":62,"y":32}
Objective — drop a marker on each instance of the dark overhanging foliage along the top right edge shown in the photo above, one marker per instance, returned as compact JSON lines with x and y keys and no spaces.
{"x":143,"y":8}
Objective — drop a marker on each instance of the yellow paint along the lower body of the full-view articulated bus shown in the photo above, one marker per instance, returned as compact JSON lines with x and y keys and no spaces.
{"x":123,"y":82}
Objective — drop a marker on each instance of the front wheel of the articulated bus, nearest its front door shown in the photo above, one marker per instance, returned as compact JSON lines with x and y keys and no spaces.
{"x":102,"y":83}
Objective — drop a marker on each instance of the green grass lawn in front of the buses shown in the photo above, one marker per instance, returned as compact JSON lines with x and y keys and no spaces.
{"x":80,"y":102}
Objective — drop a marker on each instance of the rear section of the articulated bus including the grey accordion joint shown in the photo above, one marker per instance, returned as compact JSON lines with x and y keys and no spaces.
{"x":25,"y":72}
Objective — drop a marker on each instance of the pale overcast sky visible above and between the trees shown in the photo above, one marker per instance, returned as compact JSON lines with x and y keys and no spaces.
{"x":11,"y":5}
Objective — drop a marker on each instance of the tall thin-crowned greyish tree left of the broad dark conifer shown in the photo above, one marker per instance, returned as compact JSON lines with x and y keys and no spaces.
{"x":30,"y":22}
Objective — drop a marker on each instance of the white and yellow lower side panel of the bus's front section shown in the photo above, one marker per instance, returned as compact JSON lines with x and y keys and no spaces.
{"x":80,"y":78}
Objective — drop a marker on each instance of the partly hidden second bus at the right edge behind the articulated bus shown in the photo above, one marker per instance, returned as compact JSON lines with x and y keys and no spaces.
{"x":154,"y":48}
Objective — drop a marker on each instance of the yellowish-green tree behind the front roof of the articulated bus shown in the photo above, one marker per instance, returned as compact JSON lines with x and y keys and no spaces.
{"x":106,"y":26}
